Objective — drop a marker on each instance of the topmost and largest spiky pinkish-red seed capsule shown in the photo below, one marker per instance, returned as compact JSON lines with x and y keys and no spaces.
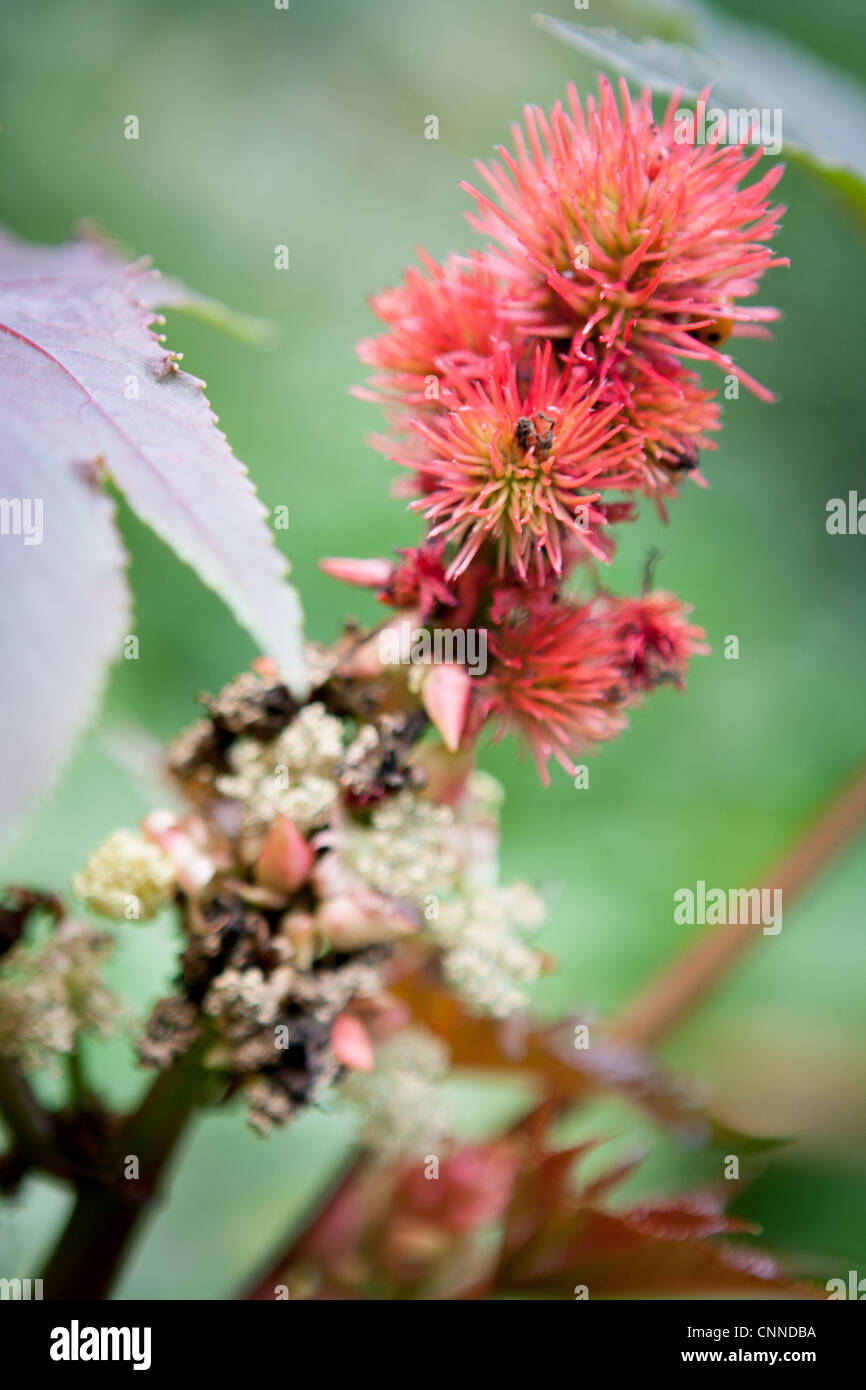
{"x":630,"y":234}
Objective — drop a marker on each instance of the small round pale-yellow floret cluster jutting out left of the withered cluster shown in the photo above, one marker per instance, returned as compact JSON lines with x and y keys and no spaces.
{"x":129,"y":876}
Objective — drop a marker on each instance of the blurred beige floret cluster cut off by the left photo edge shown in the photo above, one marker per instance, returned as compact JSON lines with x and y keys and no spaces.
{"x":52,"y":992}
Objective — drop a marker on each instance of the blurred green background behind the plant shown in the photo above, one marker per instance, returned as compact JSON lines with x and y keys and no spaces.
{"x":307,"y":127}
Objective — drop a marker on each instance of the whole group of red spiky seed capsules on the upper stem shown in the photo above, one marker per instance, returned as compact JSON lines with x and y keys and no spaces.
{"x":537,"y":390}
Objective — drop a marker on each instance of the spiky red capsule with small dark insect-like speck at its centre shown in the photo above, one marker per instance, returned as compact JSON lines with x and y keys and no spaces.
{"x":516,"y":469}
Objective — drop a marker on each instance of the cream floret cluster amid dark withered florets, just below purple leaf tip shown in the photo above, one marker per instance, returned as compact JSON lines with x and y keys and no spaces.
{"x":291,"y":776}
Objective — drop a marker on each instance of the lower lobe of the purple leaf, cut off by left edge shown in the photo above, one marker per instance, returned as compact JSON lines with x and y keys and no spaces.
{"x":65,"y":604}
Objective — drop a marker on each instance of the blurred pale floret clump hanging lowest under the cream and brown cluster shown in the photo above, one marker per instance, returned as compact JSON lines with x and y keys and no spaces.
{"x":405,"y":1111}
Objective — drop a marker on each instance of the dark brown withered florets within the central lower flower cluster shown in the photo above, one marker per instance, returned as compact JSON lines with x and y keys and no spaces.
{"x":251,"y":976}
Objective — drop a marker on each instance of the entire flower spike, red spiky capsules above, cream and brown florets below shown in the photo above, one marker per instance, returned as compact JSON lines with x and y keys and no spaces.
{"x":534,"y":393}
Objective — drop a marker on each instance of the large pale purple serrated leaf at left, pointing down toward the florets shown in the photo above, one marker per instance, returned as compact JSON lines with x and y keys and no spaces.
{"x":90,"y":394}
